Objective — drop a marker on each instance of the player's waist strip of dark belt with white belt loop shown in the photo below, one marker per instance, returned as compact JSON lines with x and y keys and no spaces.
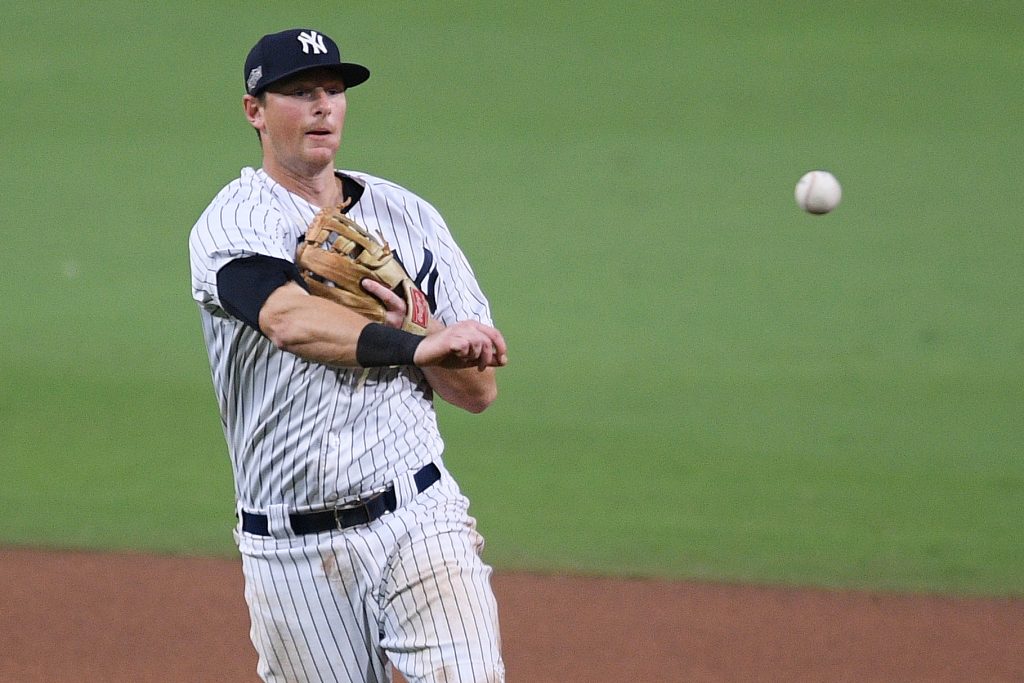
{"x":354,"y":514}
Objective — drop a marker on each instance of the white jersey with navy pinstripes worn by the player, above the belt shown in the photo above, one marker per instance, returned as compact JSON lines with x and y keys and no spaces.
{"x":301,"y":434}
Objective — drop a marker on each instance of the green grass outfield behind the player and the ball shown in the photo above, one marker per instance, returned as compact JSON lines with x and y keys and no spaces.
{"x":705,"y":382}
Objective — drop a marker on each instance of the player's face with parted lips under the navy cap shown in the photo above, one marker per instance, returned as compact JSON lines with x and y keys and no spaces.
{"x":302,"y":119}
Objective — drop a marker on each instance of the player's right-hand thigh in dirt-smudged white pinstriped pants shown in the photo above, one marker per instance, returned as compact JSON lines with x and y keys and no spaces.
{"x":441,"y":617}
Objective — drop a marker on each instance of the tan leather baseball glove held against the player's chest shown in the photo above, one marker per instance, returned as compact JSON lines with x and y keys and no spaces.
{"x":335,"y":257}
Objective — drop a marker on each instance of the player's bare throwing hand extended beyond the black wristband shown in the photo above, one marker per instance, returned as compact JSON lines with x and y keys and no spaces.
{"x":465,"y":345}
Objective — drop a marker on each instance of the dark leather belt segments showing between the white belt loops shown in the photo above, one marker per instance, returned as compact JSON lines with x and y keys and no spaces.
{"x":362,"y":513}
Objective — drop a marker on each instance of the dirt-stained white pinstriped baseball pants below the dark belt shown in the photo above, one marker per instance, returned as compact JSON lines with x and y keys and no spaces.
{"x":409,"y":589}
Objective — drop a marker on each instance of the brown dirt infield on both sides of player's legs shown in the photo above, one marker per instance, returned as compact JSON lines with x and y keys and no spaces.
{"x":90,"y":617}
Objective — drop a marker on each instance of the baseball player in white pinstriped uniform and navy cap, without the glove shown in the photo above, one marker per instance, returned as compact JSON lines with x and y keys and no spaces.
{"x":358,"y":549}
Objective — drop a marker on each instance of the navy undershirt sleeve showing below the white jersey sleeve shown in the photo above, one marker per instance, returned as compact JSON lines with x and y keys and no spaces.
{"x":245,"y":284}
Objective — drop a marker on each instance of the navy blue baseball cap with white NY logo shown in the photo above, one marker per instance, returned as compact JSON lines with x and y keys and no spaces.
{"x":279,"y":56}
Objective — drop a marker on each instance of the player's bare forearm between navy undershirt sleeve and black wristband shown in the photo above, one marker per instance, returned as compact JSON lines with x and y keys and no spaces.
{"x":311,"y":327}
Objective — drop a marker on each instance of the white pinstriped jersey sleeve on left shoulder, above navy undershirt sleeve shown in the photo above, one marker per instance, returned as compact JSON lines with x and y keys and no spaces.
{"x":239,"y":224}
